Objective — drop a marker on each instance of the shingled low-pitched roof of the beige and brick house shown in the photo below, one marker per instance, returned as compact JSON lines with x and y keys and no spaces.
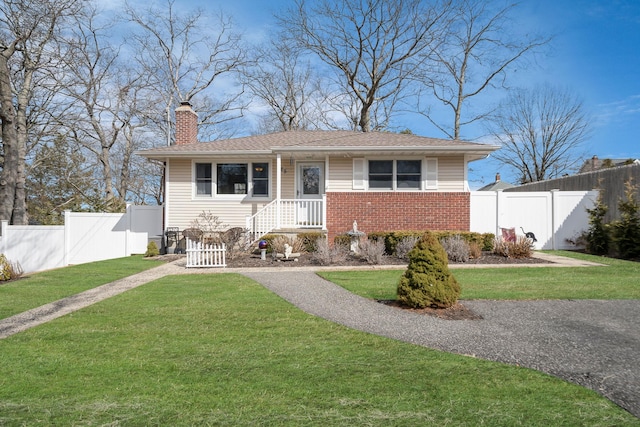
{"x":322,"y":142}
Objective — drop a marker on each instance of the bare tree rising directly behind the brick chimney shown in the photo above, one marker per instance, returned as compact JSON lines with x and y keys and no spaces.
{"x":190,"y":55}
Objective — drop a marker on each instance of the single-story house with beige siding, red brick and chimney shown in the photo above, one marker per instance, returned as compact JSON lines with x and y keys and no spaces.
{"x":317,"y":180}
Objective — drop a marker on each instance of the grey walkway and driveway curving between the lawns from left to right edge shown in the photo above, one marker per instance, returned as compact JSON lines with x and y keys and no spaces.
{"x":592,"y":343}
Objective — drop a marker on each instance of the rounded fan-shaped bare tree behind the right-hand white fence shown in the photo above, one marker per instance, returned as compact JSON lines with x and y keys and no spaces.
{"x":540,"y":131}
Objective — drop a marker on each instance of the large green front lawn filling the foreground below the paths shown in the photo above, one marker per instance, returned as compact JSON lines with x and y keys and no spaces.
{"x":222,"y":350}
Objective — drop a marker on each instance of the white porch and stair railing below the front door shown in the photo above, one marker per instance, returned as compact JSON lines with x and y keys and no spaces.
{"x":298,"y":213}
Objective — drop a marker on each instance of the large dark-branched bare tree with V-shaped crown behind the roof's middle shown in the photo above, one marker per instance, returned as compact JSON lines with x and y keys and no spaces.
{"x":372,"y":45}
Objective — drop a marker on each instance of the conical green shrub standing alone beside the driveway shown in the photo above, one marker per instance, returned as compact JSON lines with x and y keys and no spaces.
{"x":427,"y":281}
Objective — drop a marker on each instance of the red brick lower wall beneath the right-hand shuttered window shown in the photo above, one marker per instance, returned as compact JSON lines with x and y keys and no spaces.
{"x":388,"y":211}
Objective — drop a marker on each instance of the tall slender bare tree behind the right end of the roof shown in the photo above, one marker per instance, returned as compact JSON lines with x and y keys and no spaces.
{"x":479,"y":49}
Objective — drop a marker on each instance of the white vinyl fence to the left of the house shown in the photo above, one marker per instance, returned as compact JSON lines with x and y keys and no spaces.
{"x":84,"y":237}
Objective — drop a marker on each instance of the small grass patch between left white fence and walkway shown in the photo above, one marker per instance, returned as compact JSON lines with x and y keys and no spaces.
{"x":37,"y":289}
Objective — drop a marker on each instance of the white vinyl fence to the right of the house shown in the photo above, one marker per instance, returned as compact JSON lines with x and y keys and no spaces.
{"x":556,"y":218}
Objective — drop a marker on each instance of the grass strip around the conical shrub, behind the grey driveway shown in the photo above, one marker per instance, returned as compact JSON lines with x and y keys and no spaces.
{"x":617,"y":280}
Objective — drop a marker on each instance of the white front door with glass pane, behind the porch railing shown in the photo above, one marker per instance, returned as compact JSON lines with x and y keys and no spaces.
{"x":310,"y":188}
